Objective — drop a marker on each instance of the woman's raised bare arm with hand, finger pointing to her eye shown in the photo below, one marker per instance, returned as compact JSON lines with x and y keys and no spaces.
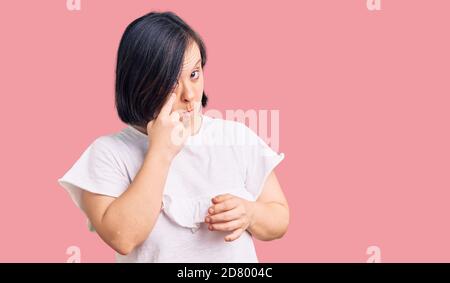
{"x":126,"y":221}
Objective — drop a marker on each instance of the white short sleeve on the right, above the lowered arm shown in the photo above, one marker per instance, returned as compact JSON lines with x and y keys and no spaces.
{"x":261,"y":160}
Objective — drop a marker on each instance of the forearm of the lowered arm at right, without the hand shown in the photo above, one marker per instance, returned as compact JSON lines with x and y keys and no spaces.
{"x":269,"y":220}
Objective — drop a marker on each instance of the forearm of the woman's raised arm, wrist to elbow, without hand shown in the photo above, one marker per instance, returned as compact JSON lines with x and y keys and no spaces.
{"x":130,"y":218}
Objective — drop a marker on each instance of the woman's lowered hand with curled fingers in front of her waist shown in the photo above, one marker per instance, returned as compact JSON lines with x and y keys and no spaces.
{"x":230,"y":213}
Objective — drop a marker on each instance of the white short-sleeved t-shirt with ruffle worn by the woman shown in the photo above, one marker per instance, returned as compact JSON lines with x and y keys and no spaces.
{"x":223,"y":157}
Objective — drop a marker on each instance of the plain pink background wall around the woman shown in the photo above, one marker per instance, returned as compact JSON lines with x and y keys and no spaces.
{"x":364,"y":111}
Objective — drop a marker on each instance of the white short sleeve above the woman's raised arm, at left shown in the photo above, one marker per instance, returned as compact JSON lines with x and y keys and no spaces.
{"x":98,"y":171}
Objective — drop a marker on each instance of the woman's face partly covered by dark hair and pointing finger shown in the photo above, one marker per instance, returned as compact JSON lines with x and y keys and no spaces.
{"x":189,"y":88}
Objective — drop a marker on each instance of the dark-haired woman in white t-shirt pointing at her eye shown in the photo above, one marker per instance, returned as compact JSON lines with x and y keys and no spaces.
{"x":175,"y":185}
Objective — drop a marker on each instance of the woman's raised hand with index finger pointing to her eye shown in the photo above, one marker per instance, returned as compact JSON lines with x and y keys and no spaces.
{"x":167,"y":133}
